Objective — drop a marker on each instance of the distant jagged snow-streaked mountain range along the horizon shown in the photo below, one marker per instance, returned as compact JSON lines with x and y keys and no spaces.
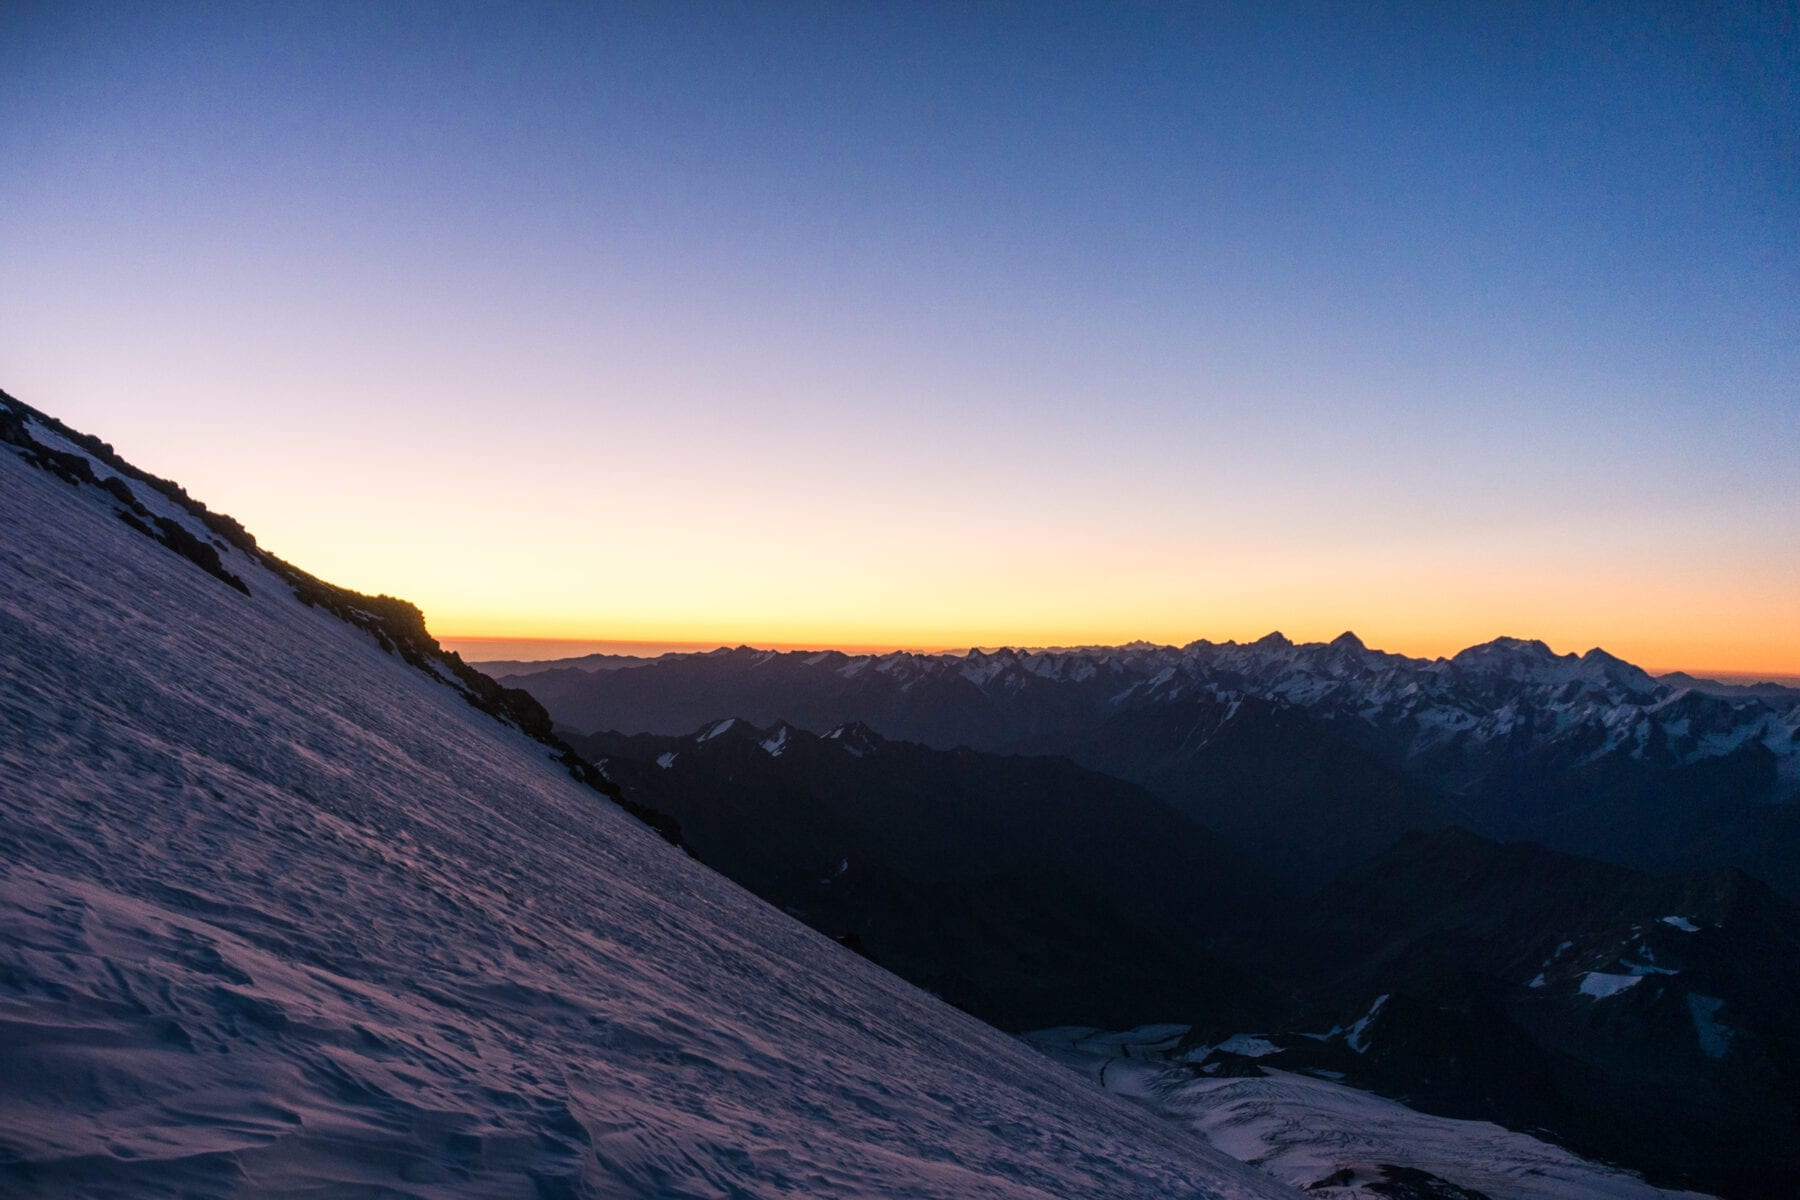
{"x":1347,"y":744}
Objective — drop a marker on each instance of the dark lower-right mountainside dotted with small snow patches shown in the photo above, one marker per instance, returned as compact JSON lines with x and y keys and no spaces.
{"x":1554,"y":994}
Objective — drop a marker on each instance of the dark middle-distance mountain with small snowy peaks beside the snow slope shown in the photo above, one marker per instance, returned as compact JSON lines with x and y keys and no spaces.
{"x":1029,"y":891}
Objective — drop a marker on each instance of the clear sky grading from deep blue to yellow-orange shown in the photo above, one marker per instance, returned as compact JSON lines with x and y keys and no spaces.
{"x":921,"y":325}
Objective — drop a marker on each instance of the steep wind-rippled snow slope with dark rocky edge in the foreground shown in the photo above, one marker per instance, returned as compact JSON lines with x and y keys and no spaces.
{"x":289,"y":909}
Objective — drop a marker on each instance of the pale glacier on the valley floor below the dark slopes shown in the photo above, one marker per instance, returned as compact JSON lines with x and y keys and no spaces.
{"x":1304,"y":1131}
